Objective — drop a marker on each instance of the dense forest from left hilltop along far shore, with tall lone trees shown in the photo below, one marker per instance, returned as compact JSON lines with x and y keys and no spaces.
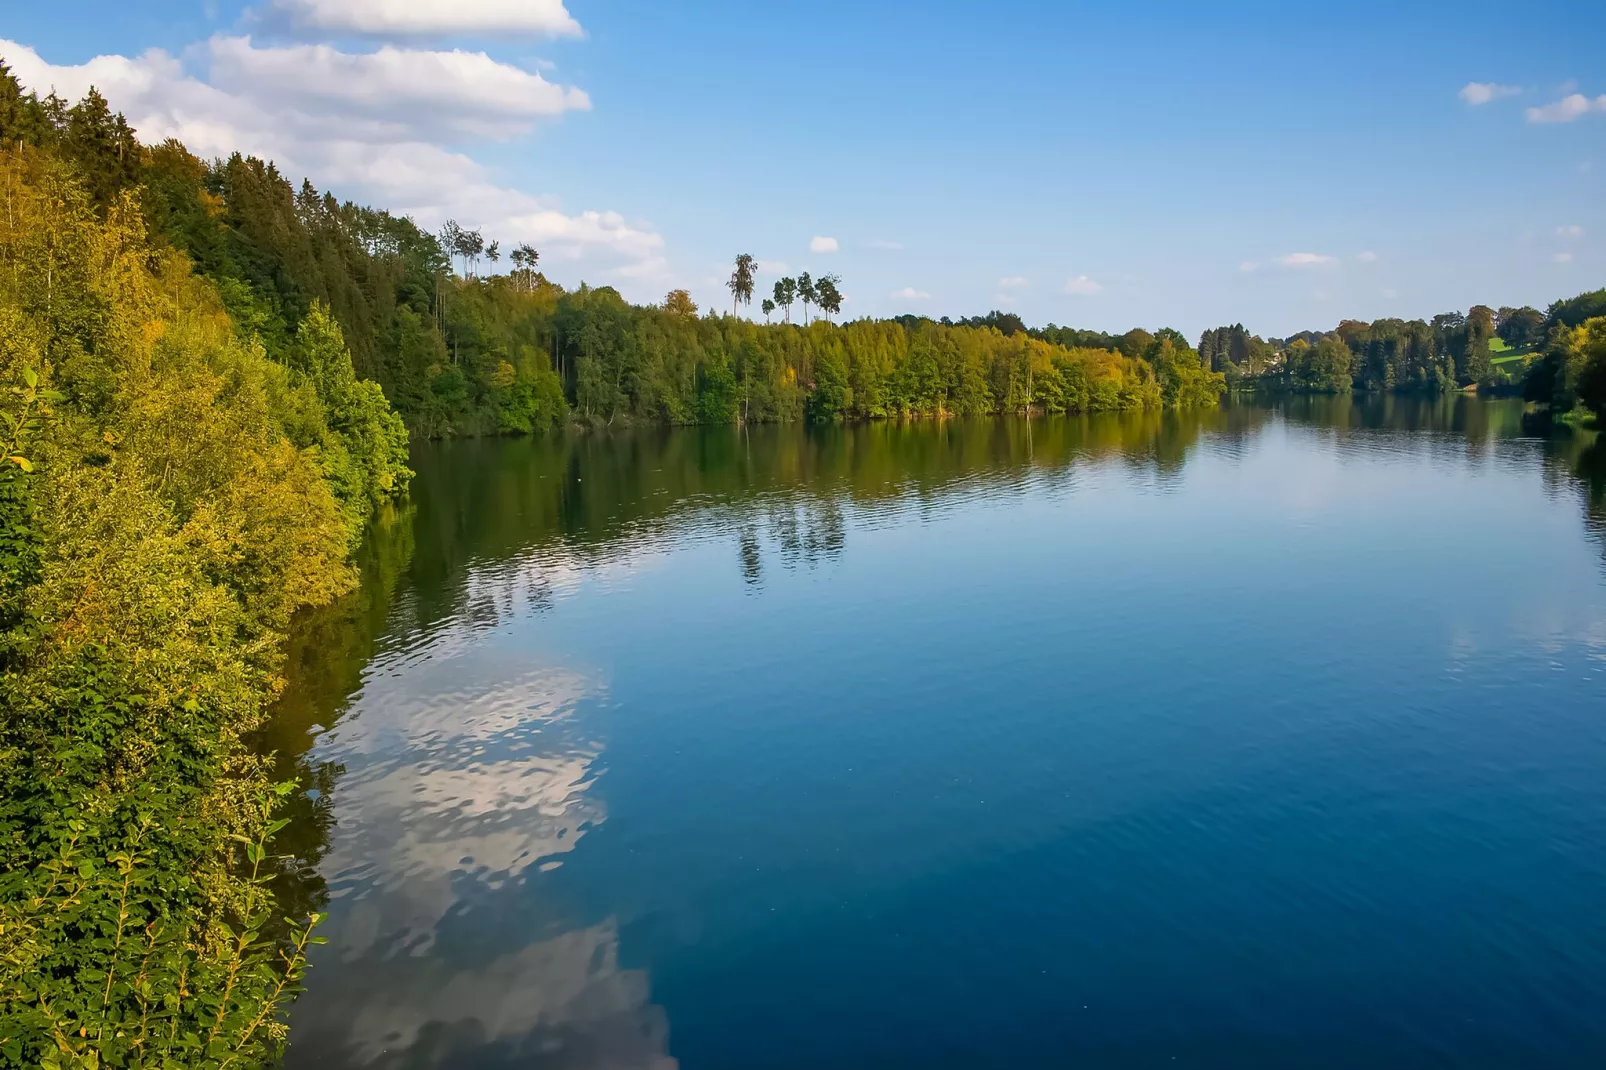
{"x":459,"y":351}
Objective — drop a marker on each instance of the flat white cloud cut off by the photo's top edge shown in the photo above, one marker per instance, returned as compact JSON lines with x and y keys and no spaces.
{"x":380,"y":18}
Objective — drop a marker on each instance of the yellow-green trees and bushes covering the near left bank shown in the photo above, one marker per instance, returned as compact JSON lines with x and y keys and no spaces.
{"x":173,"y":489}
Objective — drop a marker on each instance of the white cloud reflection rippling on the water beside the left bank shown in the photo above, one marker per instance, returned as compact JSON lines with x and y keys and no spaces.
{"x":454,"y":798}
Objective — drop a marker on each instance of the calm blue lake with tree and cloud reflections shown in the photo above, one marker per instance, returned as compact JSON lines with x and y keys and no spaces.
{"x":1271,"y":737}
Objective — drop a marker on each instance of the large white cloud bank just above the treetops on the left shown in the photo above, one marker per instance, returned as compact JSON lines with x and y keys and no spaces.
{"x":335,"y":123}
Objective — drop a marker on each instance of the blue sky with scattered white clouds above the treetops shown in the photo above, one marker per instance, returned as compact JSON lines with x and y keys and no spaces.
{"x":1104,"y":166}
